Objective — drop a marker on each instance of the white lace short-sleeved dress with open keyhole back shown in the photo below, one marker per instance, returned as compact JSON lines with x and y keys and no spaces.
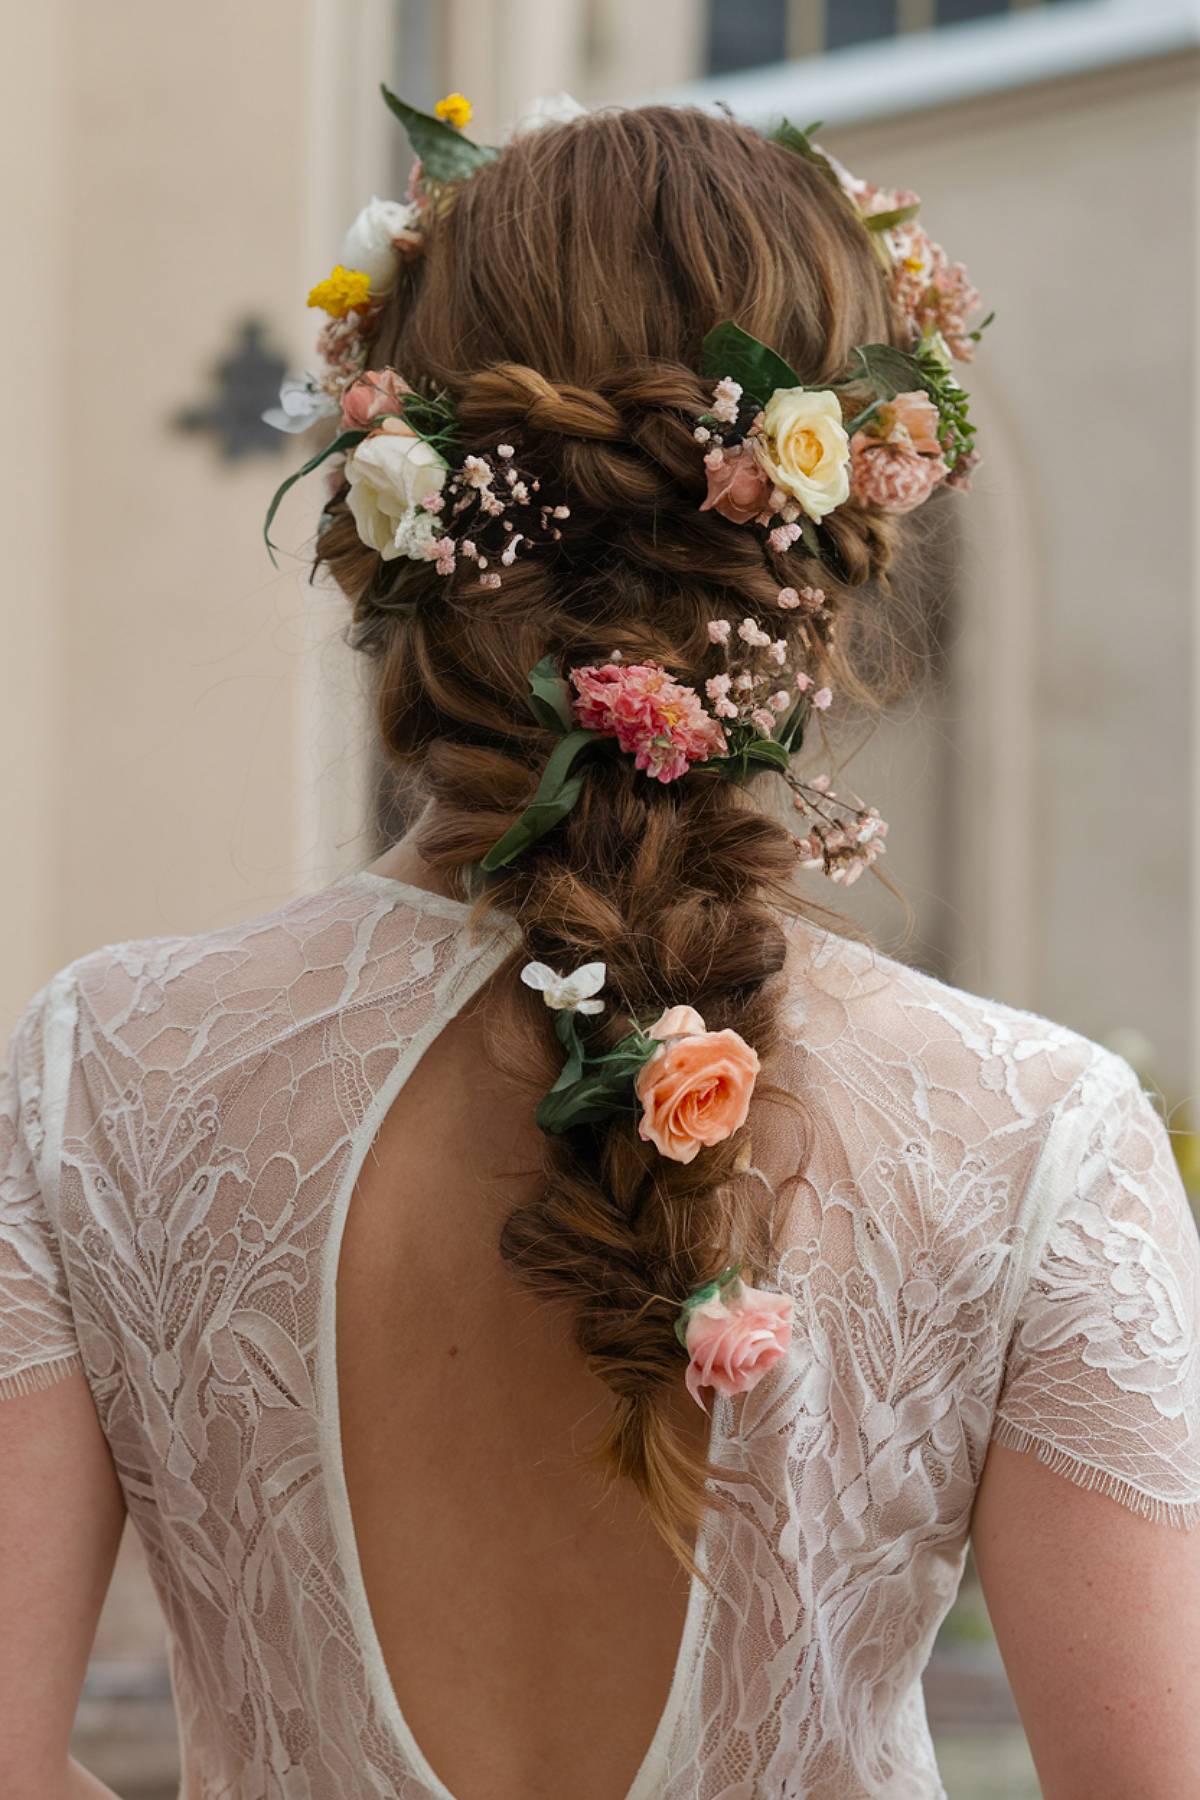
{"x":987,"y":1241}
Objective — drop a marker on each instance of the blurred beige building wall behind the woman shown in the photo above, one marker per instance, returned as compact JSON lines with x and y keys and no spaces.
{"x":183,"y":735}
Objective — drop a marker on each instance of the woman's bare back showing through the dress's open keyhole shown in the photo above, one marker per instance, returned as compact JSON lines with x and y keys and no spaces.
{"x":528,"y":1614}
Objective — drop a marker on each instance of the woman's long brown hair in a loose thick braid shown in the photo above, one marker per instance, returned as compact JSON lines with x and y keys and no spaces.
{"x":562,"y":303}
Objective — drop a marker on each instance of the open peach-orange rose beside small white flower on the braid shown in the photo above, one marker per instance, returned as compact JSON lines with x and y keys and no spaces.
{"x":697,"y":1090}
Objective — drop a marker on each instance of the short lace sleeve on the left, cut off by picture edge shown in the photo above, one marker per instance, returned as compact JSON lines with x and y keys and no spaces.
{"x":37,"y":1331}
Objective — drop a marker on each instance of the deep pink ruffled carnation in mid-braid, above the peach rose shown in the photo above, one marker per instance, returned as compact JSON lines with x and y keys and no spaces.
{"x":663,"y":724}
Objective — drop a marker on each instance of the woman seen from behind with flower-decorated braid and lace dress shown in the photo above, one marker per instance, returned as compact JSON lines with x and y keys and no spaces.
{"x":375,"y":1254}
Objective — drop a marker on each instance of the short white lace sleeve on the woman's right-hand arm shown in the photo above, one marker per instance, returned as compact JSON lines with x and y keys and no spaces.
{"x":1104,"y":1367}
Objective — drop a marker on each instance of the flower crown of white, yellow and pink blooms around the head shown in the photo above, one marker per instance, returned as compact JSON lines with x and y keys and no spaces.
{"x":776,"y":453}
